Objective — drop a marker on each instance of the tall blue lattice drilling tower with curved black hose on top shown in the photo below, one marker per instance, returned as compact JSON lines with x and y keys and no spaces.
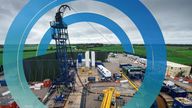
{"x":61,"y":37}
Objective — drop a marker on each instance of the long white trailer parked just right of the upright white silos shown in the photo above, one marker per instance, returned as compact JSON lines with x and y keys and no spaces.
{"x":104,"y":71}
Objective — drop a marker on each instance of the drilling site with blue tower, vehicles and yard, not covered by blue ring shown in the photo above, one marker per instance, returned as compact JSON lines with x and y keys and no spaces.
{"x":83,"y":76}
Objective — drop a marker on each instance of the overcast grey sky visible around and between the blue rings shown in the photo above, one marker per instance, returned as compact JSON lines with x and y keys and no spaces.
{"x":173,"y":16}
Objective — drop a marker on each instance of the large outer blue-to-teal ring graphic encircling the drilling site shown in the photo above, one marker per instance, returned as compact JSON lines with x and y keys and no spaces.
{"x":35,"y":9}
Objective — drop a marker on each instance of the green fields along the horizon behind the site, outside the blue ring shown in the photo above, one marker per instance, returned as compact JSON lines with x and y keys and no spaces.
{"x":178,"y":54}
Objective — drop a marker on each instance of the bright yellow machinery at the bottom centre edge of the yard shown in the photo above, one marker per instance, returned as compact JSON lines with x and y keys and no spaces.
{"x":109,"y":95}
